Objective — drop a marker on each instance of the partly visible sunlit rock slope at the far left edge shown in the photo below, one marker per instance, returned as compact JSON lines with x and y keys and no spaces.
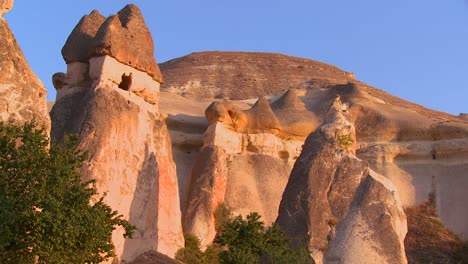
{"x":22,"y":94}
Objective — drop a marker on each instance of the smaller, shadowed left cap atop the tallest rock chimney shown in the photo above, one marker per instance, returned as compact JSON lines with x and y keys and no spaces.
{"x":80,"y":41}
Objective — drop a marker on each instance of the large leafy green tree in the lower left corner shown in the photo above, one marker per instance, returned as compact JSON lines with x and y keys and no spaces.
{"x":45,"y":209}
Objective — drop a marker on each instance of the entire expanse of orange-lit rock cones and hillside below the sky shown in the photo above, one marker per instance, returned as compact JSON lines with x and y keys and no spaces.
{"x":301,"y":142}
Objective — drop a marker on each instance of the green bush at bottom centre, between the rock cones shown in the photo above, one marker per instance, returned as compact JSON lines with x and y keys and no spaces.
{"x":248,"y":241}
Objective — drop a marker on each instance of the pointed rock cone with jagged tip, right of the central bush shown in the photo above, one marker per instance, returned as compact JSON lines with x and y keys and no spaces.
{"x":344,"y":211}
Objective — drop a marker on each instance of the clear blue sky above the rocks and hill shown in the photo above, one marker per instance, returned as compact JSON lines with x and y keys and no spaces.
{"x":413,"y":49}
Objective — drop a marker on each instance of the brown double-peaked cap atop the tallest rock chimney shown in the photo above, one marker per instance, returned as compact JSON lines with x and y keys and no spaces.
{"x":124,"y":37}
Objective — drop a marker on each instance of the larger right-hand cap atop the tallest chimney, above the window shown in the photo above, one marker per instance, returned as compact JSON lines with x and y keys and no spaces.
{"x":126,"y":38}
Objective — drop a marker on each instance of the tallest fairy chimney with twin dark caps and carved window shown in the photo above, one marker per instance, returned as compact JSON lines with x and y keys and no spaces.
{"x":129,"y":147}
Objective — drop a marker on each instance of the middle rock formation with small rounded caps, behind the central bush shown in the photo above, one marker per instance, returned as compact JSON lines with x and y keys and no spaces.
{"x":241,"y":157}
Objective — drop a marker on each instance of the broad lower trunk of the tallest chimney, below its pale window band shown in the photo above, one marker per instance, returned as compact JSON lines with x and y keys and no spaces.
{"x":130,"y":158}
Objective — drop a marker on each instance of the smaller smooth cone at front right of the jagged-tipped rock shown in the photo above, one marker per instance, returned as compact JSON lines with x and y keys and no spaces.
{"x":375,"y":227}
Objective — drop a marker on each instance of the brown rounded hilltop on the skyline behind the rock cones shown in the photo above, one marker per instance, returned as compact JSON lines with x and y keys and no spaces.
{"x":243,"y":75}
